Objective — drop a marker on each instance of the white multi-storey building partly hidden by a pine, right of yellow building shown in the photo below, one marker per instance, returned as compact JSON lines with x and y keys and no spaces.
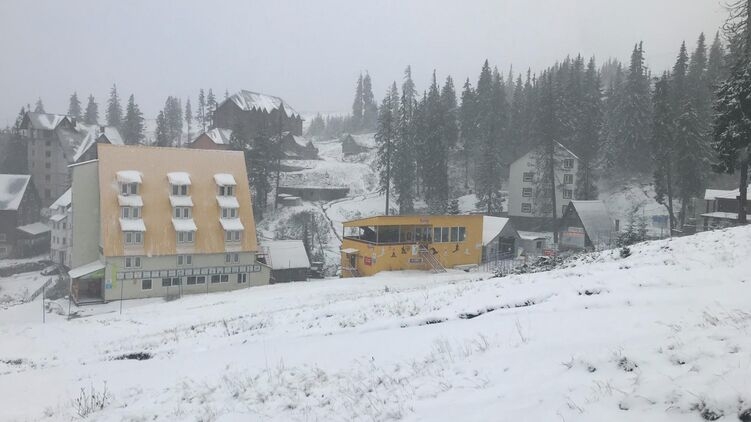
{"x":527,"y":198}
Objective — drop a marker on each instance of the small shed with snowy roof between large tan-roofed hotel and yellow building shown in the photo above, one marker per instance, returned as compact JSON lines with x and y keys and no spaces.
{"x":288,"y":260}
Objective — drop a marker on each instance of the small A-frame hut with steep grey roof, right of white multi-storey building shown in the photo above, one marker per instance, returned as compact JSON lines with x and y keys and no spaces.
{"x":586,"y":225}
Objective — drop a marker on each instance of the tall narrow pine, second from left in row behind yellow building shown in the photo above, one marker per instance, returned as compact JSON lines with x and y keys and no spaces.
{"x":404,"y":166}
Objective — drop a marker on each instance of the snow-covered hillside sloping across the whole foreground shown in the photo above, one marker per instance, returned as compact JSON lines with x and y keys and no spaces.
{"x":661,"y":335}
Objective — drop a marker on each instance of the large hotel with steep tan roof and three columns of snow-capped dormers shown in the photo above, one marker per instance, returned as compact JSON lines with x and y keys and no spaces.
{"x":159,"y":222}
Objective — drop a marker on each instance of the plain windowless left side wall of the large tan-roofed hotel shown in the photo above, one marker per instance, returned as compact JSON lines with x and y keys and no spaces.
{"x":85,"y":221}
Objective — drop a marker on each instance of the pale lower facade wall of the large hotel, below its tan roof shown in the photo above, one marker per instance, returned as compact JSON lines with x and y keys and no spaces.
{"x":128,"y":281}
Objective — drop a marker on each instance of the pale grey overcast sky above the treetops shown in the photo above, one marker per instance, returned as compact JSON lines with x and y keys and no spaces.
{"x":310,"y":52}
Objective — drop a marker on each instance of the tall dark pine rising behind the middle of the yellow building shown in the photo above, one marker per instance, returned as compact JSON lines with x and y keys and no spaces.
{"x":435,"y":152}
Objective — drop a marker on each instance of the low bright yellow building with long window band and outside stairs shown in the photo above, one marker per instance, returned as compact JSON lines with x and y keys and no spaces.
{"x":424,"y":242}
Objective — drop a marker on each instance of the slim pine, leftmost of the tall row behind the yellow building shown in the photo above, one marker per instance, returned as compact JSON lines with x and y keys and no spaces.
{"x":385,"y":138}
